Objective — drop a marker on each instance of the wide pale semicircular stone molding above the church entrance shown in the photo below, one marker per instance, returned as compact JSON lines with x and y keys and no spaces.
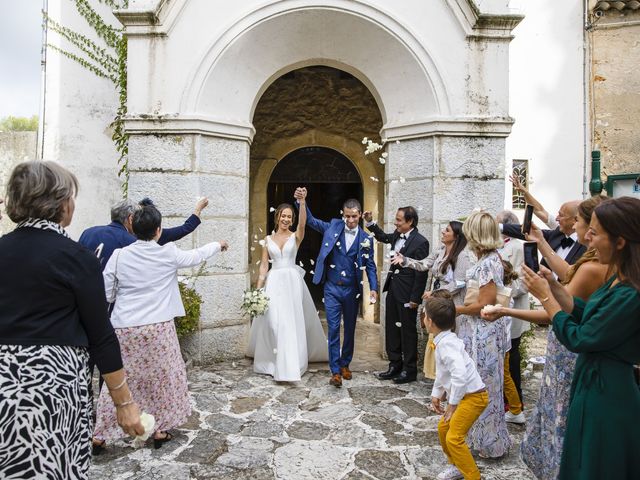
{"x":289,"y":34}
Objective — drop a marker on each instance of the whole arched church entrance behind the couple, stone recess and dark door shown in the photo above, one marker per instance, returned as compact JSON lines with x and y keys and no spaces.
{"x":309,"y":128}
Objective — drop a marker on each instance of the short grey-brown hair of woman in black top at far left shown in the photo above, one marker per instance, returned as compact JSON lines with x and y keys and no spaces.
{"x":38,"y":189}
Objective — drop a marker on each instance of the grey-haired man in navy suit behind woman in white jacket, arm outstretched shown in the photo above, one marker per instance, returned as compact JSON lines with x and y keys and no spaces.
{"x":104,"y":239}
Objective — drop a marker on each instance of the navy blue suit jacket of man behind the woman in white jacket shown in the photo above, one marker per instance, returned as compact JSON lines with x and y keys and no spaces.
{"x":115,"y":236}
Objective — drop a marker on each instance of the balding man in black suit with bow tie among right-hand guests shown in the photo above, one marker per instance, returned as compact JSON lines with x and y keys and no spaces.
{"x":563,"y":239}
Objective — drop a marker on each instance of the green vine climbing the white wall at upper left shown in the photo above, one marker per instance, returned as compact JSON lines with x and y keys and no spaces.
{"x":109,"y":61}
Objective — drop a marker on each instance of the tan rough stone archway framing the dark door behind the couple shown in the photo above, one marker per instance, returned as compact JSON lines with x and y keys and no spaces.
{"x":313,"y":107}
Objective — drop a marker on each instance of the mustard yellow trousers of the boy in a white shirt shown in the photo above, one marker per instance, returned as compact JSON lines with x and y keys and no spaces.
{"x":454,"y":432}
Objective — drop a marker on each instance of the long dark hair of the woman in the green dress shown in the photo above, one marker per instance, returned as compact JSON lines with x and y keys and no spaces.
{"x":620,"y":218}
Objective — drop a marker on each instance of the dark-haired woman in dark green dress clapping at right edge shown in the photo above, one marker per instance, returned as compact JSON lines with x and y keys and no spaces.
{"x":602,"y":438}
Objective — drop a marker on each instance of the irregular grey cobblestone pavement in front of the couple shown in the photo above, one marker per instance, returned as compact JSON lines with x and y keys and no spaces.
{"x":246,"y":426}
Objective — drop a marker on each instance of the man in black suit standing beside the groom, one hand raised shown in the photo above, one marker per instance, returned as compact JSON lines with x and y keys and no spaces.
{"x":404,"y":287}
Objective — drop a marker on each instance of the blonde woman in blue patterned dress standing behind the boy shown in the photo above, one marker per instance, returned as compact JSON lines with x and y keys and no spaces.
{"x":486,"y":341}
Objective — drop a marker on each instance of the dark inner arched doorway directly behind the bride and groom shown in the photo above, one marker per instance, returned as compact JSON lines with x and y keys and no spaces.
{"x":330,"y":179}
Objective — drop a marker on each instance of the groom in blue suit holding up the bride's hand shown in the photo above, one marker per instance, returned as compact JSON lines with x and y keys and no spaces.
{"x":345,"y":252}
